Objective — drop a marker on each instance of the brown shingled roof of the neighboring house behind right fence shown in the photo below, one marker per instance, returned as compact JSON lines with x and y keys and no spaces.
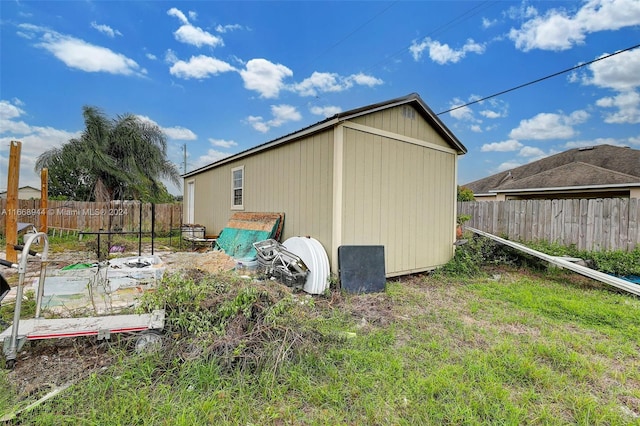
{"x":598,"y":166}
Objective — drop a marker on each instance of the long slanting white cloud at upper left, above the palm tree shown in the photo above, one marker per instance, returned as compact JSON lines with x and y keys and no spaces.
{"x":79,"y":54}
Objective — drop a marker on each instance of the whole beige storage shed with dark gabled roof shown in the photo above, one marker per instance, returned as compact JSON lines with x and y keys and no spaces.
{"x":384,"y":174}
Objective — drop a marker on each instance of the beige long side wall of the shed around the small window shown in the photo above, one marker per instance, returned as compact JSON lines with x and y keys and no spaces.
{"x":295,"y":178}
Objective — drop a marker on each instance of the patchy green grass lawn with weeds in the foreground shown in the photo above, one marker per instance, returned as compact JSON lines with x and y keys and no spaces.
{"x":510,"y":346}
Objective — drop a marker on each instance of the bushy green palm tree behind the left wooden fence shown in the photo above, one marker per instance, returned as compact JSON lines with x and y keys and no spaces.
{"x":121,"y":158}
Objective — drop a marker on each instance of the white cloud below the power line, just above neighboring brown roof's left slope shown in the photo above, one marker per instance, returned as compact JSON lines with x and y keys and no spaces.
{"x":549,"y":126}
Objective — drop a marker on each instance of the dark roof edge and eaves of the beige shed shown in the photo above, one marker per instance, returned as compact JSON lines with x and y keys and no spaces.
{"x":413,"y":99}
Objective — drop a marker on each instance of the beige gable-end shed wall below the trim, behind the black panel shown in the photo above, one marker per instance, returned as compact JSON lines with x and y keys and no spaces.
{"x":400,"y":195}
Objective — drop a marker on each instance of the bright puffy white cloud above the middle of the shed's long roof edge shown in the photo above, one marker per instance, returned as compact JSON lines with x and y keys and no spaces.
{"x":265,"y":77}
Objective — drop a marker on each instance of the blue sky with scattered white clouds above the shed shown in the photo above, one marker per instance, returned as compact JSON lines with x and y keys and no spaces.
{"x":221,"y":77}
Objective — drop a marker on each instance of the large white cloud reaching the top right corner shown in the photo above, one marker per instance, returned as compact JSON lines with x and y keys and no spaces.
{"x":560,"y":30}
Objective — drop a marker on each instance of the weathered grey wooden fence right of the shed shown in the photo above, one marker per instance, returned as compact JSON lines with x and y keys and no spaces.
{"x":588,"y":224}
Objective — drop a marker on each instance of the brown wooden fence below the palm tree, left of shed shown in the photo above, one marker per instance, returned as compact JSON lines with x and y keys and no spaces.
{"x":91,"y":216}
